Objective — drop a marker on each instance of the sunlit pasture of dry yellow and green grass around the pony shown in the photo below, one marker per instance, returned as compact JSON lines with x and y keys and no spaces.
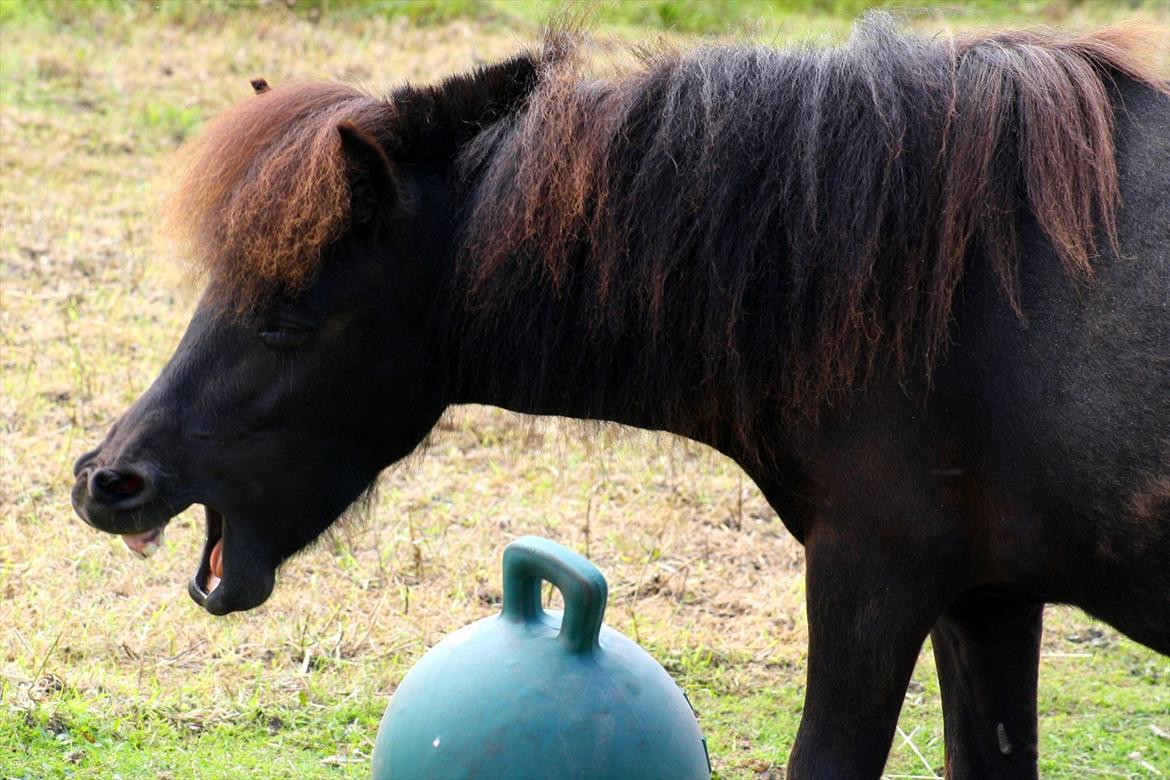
{"x":108,"y":669}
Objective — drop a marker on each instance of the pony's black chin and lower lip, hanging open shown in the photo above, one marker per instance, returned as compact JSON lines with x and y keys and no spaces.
{"x":222,"y":589}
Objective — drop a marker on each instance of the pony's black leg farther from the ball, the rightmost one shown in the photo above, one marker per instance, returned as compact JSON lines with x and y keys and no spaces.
{"x":988,"y":651}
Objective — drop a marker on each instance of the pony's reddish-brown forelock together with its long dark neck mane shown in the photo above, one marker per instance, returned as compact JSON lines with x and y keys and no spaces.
{"x":741,"y":230}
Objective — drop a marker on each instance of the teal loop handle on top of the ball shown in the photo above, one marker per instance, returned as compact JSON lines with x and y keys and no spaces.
{"x":531,"y":561}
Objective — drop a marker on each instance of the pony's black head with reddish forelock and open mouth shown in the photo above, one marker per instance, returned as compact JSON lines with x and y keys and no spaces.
{"x":320,"y":219}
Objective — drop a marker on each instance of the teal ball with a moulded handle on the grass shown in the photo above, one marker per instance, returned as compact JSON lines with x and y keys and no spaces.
{"x":531,"y":694}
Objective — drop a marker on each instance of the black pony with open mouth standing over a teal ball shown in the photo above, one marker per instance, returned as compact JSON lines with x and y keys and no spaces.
{"x":919,"y":288}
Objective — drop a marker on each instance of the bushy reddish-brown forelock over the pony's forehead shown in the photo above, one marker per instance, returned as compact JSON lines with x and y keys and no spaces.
{"x":264,"y":189}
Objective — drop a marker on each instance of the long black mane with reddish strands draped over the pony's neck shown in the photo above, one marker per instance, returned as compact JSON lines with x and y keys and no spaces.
{"x":774,"y":227}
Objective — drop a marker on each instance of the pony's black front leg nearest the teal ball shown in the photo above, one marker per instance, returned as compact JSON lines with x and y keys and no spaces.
{"x":872,"y":599}
